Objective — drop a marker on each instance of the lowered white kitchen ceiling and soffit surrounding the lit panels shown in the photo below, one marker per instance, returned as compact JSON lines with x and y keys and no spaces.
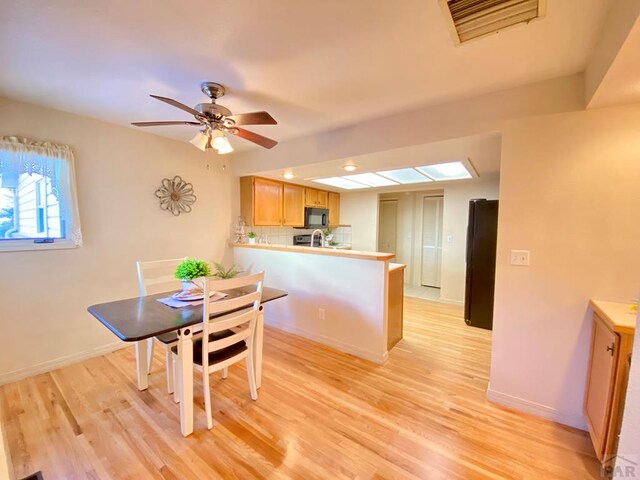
{"x":482,"y":151}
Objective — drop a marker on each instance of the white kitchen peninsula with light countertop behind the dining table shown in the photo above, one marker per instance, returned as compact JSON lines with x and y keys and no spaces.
{"x":346,"y":299}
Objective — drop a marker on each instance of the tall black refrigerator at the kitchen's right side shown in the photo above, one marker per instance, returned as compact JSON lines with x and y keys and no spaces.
{"x":482,"y":232}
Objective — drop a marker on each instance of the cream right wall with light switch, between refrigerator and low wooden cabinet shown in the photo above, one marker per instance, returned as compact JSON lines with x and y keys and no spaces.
{"x":569,"y":193}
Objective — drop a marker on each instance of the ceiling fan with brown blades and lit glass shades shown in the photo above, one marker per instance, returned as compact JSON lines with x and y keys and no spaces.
{"x":217,"y":120}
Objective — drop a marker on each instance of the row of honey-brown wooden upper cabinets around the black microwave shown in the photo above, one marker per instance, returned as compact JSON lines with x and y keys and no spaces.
{"x":270,"y":203}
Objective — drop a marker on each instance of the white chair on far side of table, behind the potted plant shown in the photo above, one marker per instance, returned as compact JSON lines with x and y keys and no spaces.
{"x":156,"y":277}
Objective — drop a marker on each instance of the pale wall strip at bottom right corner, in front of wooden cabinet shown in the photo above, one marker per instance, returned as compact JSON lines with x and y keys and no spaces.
{"x":629,"y":445}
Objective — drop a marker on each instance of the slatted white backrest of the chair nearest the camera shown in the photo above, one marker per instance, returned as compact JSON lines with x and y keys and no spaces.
{"x":243,"y":320}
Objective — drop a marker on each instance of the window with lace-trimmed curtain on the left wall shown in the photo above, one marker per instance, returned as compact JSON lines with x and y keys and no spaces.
{"x":38,"y":207}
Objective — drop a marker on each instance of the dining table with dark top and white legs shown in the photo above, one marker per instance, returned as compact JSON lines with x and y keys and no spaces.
{"x":142,"y":318}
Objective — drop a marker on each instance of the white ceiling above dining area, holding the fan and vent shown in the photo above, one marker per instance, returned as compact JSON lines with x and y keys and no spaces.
{"x":312,"y":65}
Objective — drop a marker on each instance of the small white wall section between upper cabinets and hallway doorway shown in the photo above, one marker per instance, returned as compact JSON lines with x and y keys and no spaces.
{"x":360,"y":210}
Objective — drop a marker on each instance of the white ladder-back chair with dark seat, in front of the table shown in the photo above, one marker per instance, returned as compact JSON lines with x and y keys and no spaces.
{"x":229,"y":336}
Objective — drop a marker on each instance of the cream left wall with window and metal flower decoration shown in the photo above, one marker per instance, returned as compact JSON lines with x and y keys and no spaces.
{"x":44,"y":295}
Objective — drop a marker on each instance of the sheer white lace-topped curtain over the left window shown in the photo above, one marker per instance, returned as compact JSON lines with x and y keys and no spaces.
{"x":21,"y":155}
